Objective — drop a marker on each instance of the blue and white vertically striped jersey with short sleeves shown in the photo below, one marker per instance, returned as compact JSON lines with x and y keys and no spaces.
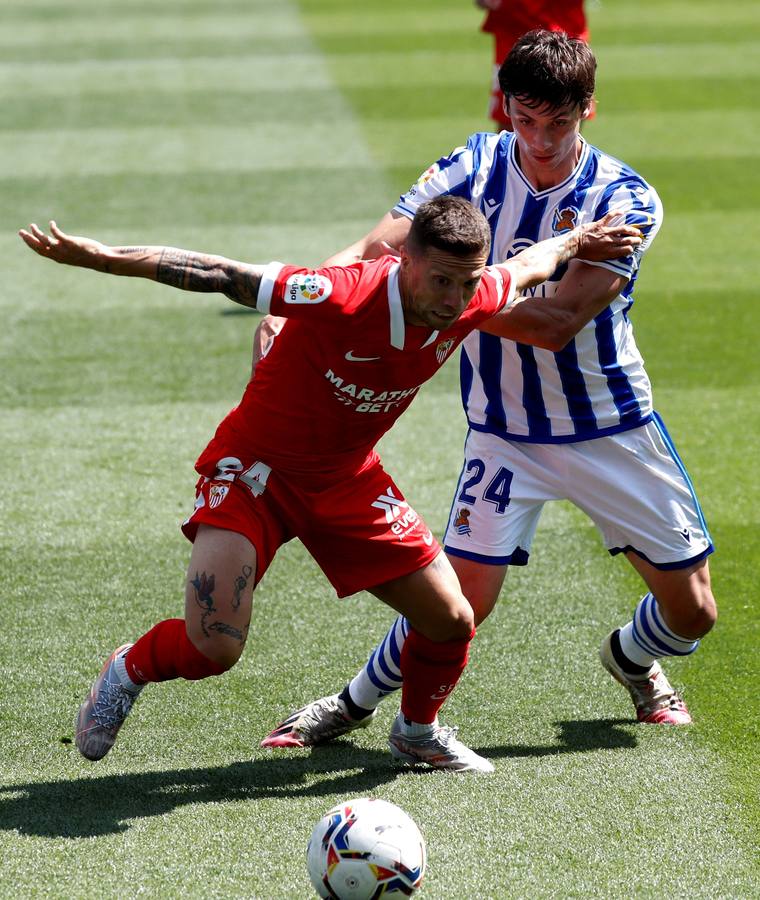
{"x":597,"y":384}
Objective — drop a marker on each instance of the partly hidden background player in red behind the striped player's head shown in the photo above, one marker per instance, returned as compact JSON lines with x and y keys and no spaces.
{"x":508,"y":20}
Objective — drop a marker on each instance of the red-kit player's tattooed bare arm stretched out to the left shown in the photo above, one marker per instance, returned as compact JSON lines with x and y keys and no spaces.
{"x":168,"y":265}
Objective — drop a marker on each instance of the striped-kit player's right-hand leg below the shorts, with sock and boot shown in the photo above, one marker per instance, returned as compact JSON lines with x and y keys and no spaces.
{"x":669,"y":621}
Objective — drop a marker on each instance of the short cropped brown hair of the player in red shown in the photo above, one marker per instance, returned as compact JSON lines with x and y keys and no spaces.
{"x":449,"y":224}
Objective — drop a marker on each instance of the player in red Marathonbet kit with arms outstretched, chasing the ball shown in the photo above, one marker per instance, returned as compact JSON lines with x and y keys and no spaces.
{"x":296,"y":457}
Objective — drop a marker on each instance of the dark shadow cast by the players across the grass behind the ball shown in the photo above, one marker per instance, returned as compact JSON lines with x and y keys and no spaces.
{"x":88,"y":807}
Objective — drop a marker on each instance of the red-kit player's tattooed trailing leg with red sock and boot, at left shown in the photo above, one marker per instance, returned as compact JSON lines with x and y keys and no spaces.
{"x":207,"y":642}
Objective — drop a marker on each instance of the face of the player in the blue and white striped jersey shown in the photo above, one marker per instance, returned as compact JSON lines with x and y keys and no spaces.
{"x":547,"y":140}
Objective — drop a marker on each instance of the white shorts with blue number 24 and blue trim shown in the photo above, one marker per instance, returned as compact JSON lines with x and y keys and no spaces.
{"x":632,"y":485}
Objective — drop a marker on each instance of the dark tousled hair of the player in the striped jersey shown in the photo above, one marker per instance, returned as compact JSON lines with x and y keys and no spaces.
{"x":549,"y":68}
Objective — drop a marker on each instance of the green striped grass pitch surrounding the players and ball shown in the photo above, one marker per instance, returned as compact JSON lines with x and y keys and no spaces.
{"x":282,"y":130}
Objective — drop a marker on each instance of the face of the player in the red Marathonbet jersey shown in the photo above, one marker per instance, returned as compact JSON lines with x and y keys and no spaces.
{"x":436,"y":287}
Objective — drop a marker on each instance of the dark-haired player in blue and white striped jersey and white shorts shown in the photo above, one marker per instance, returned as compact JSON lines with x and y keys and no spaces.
{"x":559,"y":412}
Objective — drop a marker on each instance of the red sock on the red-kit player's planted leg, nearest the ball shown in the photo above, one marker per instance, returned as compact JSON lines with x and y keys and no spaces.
{"x":430,"y":671}
